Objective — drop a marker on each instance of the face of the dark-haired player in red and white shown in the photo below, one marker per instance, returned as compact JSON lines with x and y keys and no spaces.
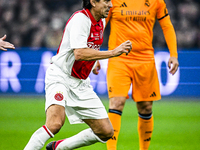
{"x":102,"y":8}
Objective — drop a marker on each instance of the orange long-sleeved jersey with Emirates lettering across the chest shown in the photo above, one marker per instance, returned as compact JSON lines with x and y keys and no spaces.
{"x":134,"y":20}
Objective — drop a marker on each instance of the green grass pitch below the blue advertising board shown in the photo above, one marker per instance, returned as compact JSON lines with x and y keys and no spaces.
{"x":176,"y":124}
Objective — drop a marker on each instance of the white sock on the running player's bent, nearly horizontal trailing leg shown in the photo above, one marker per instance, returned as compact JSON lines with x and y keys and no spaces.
{"x":83,"y":138}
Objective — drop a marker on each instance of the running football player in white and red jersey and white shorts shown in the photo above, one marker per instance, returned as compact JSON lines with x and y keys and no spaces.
{"x":67,"y":85}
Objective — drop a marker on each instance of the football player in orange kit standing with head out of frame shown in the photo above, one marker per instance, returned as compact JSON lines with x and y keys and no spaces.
{"x":134,"y":20}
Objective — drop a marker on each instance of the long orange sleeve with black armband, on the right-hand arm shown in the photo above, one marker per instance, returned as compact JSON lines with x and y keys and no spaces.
{"x":167,"y":28}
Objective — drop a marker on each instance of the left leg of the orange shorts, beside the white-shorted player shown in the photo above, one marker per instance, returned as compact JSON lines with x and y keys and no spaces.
{"x":118,"y":79}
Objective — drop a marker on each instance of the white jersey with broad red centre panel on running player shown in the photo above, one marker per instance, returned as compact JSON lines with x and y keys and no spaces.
{"x":81,"y":31}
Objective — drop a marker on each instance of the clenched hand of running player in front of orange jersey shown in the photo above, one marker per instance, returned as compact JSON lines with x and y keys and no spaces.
{"x":123,"y":48}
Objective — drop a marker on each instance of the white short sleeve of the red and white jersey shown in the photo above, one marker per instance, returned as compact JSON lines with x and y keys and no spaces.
{"x":79,"y":31}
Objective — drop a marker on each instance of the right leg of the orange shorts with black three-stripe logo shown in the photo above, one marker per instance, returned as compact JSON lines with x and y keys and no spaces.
{"x":145,"y":85}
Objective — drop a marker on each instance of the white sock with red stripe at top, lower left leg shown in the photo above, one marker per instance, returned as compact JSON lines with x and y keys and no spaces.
{"x":39,"y":138}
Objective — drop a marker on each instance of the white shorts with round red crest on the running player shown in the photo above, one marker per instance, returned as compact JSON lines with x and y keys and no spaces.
{"x":76,"y":95}
